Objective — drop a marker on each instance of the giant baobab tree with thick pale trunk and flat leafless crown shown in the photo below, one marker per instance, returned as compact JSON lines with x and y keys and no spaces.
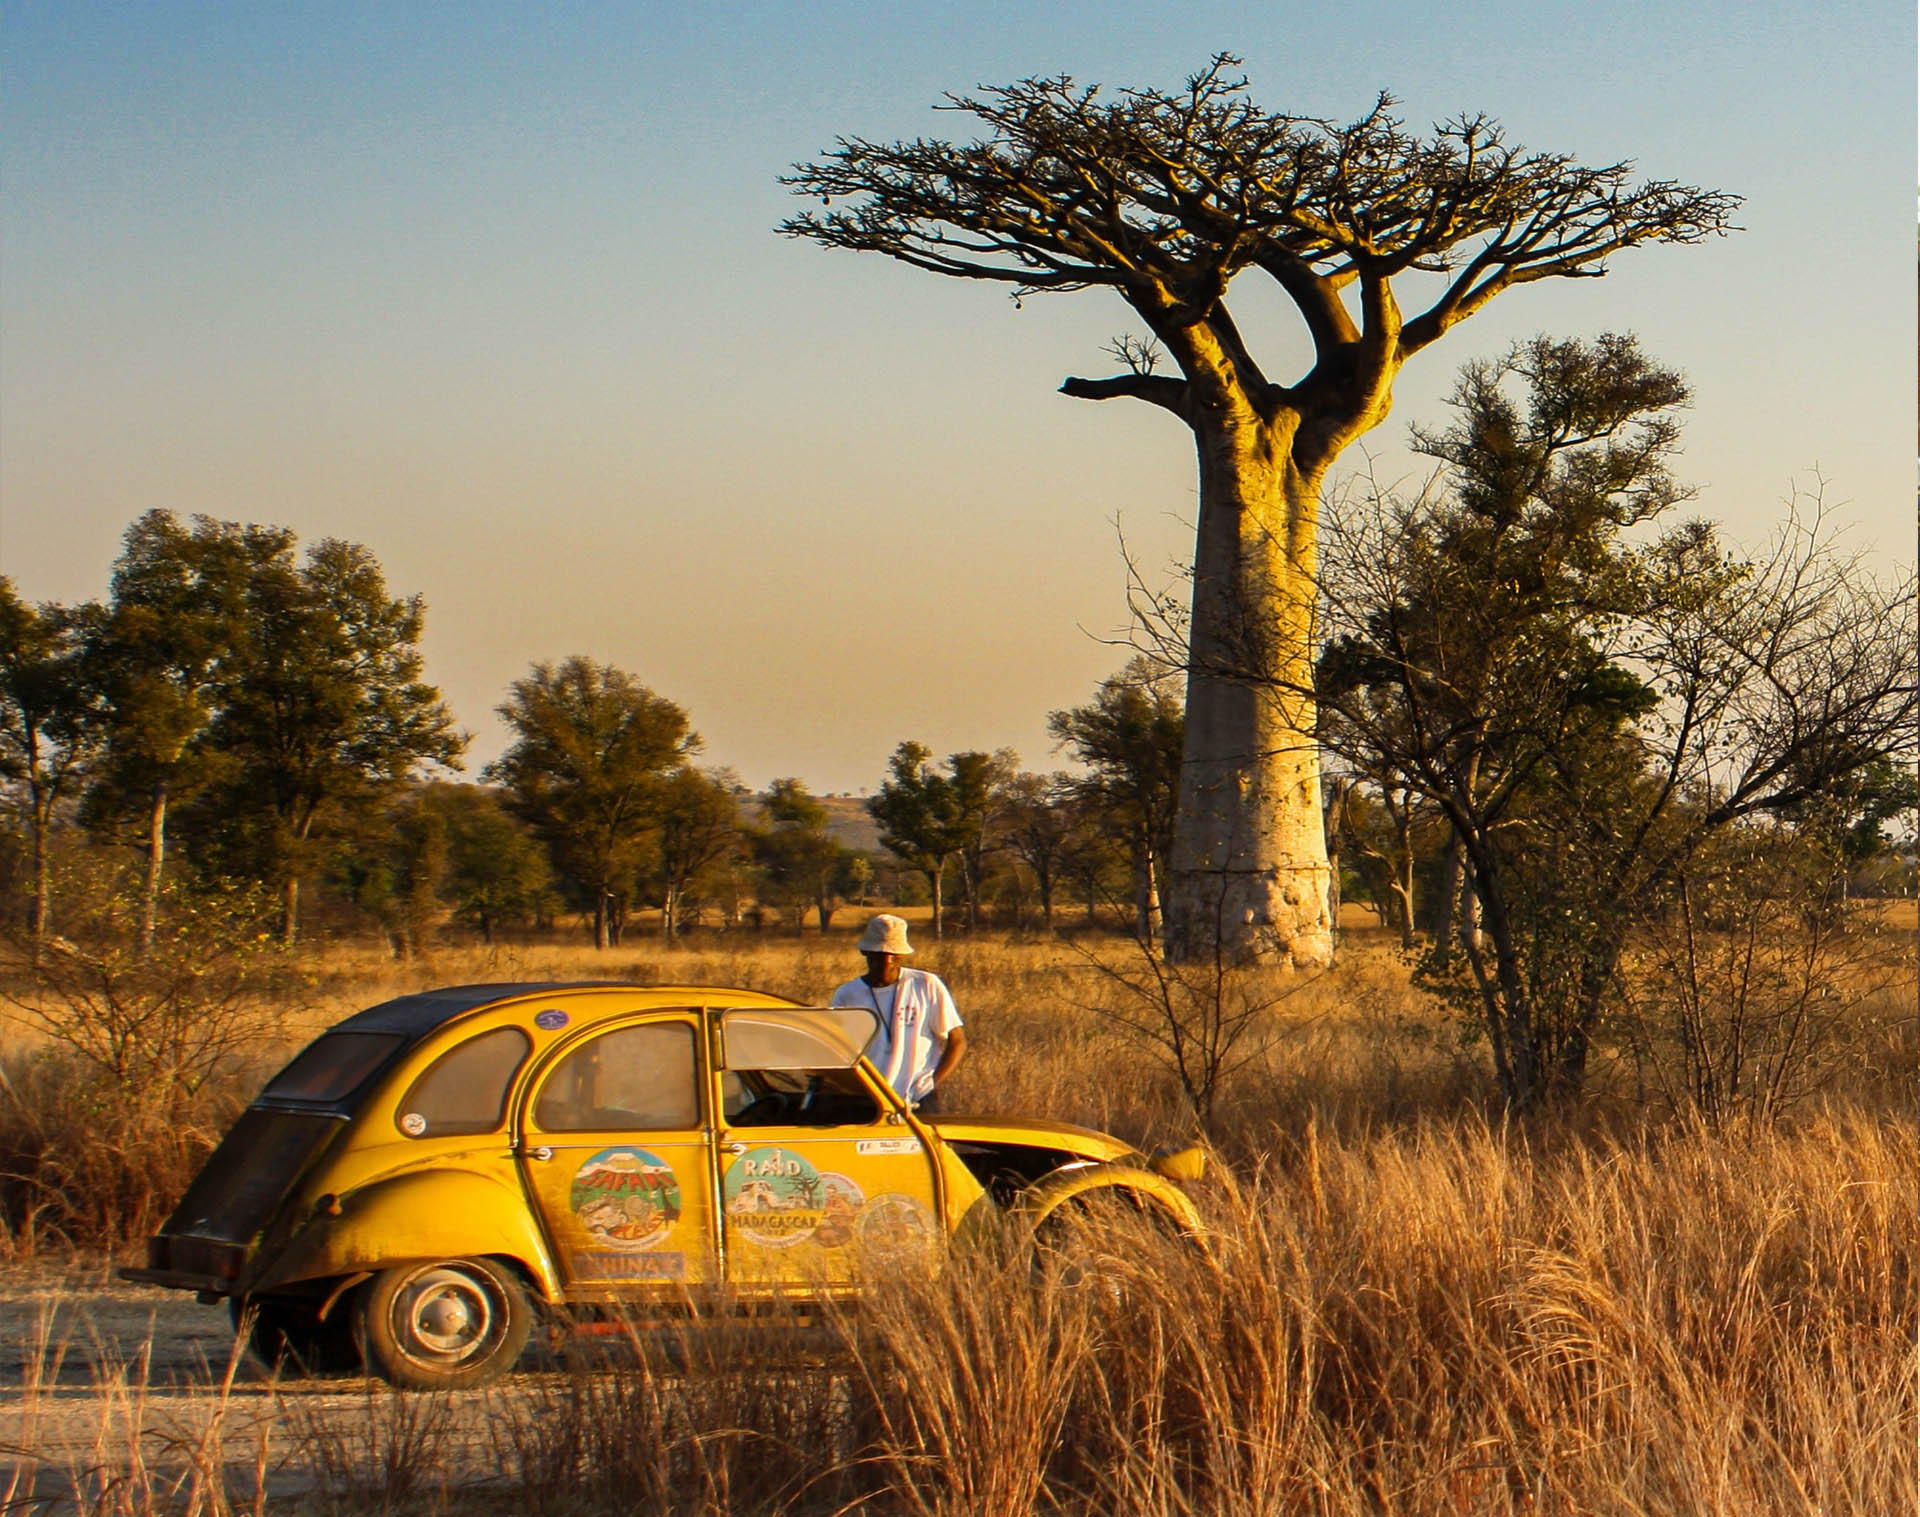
{"x":1164,"y":199}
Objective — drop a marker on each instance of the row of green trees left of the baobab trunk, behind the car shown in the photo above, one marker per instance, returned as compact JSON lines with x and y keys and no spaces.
{"x":239,"y":715}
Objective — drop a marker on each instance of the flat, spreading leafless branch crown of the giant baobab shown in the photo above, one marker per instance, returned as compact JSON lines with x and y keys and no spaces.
{"x":1166,"y":197}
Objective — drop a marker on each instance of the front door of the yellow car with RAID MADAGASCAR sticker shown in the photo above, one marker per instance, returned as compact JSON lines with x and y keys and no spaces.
{"x":823,"y":1174}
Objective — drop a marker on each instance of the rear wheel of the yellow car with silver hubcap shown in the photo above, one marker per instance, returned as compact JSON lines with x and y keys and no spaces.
{"x":443,"y":1326}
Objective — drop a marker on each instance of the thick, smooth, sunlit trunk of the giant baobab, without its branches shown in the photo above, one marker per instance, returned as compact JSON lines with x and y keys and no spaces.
{"x":1249,"y":873}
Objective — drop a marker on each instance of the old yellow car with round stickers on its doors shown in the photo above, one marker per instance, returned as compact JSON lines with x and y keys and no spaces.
{"x":431,"y":1174}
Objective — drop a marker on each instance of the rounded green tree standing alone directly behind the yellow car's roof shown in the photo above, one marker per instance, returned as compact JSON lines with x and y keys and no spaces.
{"x":585,"y":771}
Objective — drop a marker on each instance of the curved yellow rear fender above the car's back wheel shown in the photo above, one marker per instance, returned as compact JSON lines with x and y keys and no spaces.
{"x":429,"y":1215}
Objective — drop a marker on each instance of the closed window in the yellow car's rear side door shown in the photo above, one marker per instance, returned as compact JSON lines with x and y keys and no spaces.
{"x":629,"y":1078}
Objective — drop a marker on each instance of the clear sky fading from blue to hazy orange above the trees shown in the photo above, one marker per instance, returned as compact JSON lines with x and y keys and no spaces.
{"x":494,"y":291}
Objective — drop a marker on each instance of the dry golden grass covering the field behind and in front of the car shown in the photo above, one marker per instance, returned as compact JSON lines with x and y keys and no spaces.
{"x":1408,"y":1309}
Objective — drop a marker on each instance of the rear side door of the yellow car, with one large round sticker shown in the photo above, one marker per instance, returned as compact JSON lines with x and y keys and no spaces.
{"x":617,"y":1157}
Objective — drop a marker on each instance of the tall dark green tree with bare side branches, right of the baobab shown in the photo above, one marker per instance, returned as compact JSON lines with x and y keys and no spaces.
{"x":1589,"y":708}
